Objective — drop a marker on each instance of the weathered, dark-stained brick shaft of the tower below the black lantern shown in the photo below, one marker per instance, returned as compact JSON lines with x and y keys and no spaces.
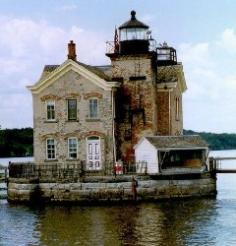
{"x":136,"y":100}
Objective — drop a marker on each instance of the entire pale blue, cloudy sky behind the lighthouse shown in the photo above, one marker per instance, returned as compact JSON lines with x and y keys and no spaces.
{"x":35,"y":33}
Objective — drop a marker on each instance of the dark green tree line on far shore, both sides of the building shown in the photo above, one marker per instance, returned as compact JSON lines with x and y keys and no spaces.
{"x":19,"y":142}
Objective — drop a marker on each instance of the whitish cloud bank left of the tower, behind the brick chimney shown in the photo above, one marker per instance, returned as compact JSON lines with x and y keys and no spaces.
{"x":25,"y":47}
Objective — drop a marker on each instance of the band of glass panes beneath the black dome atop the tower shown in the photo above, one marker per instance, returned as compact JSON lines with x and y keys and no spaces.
{"x":133,"y":34}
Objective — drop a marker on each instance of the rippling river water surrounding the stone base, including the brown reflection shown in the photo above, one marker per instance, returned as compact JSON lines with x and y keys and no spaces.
{"x":191,"y":222}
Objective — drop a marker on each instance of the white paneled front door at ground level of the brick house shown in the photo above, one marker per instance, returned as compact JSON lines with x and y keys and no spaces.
{"x":93,"y":153}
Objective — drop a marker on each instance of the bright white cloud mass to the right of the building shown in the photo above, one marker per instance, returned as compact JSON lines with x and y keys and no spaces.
{"x":209,"y":103}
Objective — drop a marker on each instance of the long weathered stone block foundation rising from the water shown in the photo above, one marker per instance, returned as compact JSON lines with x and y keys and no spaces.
{"x":103,"y":188}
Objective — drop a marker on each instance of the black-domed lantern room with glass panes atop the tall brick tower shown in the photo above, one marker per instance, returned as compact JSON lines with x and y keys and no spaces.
{"x":134,"y":36}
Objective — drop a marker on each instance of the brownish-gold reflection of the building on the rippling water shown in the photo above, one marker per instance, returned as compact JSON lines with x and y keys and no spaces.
{"x":169,"y":223}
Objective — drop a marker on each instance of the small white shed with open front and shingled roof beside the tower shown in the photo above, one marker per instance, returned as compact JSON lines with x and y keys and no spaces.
{"x":171,"y":153}
